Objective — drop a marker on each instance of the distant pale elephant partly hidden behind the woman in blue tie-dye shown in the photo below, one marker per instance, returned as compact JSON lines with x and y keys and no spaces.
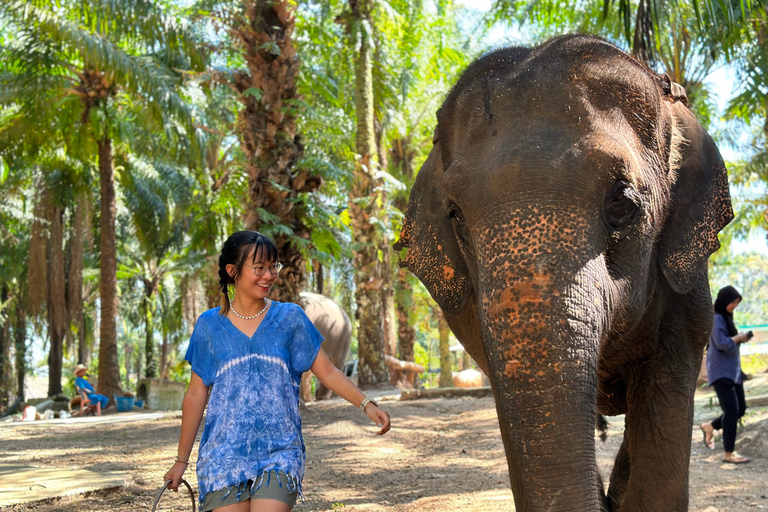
{"x":334,"y":324}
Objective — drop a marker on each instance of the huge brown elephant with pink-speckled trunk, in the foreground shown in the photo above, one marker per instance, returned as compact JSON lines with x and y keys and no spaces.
{"x":562,"y":221}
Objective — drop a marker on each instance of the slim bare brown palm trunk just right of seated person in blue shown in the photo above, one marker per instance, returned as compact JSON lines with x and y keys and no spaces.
{"x":109,"y":369}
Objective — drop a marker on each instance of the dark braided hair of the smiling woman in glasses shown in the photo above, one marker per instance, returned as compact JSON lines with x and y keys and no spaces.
{"x":235,"y":251}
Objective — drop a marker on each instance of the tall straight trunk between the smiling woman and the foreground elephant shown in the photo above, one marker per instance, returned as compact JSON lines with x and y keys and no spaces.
{"x":363,"y":206}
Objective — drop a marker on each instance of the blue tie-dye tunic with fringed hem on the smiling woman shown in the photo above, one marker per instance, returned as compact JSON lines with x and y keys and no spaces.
{"x":252,"y":425}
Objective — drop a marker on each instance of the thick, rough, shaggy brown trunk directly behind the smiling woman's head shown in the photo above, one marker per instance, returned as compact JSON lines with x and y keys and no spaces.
{"x":266,"y":127}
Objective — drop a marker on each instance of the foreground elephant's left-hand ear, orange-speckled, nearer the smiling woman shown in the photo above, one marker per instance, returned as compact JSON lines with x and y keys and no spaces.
{"x":434,"y":255}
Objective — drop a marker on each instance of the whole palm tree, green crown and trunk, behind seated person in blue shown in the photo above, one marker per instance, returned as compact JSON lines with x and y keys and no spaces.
{"x":87,"y":65}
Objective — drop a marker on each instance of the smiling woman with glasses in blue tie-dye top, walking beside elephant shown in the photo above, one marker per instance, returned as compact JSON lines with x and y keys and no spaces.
{"x":251,"y":353}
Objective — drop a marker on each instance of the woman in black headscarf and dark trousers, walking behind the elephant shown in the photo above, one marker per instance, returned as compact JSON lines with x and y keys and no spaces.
{"x":724,"y":373}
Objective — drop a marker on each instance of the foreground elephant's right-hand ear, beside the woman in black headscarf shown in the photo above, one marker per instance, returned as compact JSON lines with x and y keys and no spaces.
{"x":700,"y":205}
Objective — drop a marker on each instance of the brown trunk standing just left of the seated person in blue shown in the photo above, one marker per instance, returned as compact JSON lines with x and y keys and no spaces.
{"x":58,"y":322}
